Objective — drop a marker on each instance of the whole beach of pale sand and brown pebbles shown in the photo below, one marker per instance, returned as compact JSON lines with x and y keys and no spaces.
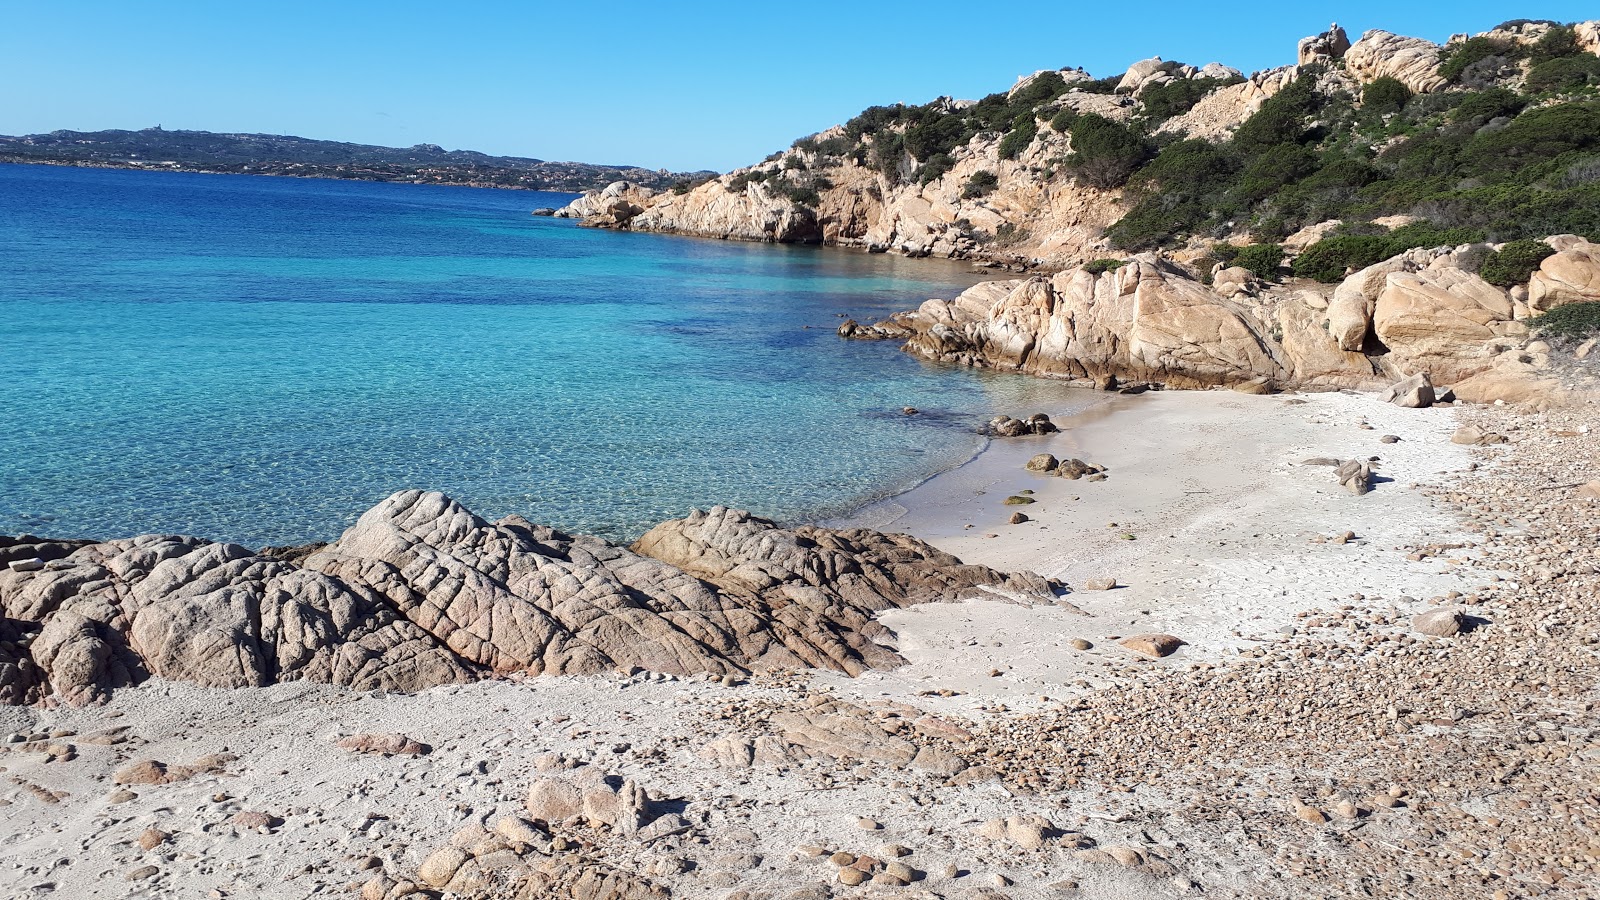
{"x":1207,"y":771}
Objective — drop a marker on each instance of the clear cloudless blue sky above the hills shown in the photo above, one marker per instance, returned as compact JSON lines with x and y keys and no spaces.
{"x":705,"y":86}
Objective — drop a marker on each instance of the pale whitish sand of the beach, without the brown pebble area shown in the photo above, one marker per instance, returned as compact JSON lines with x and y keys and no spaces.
{"x":1207,"y":518}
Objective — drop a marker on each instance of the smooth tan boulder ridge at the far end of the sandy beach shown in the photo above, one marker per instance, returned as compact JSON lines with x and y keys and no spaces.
{"x":1425,"y":313}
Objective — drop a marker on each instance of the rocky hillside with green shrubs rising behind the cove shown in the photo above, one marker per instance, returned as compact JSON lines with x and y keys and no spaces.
{"x":1487,"y":139}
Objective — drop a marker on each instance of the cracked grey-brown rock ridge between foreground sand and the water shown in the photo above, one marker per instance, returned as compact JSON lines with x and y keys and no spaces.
{"x":422,"y":593}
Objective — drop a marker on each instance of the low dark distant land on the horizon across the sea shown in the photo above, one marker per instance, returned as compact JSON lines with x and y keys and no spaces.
{"x":306,"y":158}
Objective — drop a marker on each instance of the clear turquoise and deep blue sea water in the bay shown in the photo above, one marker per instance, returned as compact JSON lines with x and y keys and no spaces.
{"x":263,"y":360}
